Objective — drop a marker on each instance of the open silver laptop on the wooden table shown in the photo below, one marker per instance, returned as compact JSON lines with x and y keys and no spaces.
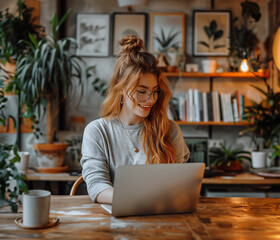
{"x":156,"y":189}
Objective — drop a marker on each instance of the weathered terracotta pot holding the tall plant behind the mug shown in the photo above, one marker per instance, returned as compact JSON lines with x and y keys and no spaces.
{"x":50,"y":155}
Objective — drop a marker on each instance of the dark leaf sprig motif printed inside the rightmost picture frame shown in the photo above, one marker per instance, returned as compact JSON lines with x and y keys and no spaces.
{"x":213,"y":34}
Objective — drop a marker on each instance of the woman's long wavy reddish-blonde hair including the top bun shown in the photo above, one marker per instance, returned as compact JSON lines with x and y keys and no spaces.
{"x":132,"y":62}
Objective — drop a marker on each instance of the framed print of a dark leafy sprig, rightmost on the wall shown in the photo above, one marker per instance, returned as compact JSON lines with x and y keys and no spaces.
{"x":211,"y":31}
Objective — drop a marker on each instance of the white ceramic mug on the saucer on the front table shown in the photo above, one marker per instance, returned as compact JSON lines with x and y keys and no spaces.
{"x":36,"y":208}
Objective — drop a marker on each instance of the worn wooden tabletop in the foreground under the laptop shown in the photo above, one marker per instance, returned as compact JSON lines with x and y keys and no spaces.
{"x":215,"y":218}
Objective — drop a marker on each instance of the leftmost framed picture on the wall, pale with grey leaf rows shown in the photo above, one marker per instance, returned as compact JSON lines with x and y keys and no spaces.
{"x":93,"y":35}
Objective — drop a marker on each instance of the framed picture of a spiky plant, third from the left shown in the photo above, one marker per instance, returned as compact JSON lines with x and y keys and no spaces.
{"x":167,"y":30}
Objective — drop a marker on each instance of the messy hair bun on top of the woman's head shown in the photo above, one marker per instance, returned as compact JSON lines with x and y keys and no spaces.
{"x":131,"y":44}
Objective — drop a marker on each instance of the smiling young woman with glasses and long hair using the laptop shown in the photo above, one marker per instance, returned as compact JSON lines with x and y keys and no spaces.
{"x":134,"y":128}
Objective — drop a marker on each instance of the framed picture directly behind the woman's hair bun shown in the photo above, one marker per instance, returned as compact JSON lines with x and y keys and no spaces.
{"x":128,"y":24}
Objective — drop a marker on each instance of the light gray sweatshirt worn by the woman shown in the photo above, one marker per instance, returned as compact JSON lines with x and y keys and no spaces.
{"x":106,"y":145}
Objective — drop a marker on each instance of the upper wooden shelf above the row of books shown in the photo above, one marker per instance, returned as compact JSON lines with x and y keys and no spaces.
{"x":219,"y":75}
